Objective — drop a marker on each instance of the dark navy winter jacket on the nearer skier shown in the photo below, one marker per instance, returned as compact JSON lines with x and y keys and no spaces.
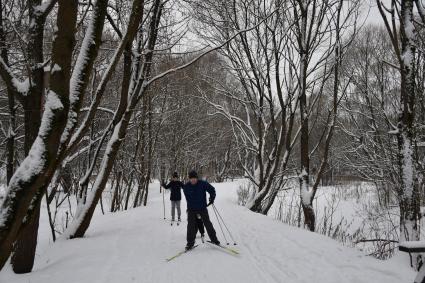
{"x":196,"y":197}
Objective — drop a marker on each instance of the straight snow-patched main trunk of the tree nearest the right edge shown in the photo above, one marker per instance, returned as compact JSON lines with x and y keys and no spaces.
{"x":409,"y":203}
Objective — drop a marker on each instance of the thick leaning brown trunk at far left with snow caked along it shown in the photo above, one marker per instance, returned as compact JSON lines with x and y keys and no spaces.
{"x":39,"y":166}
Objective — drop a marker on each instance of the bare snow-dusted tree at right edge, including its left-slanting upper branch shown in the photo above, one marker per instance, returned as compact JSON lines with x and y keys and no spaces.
{"x":404,"y":38}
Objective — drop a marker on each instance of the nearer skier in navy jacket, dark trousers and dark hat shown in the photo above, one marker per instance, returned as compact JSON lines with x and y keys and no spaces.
{"x":195,"y":192}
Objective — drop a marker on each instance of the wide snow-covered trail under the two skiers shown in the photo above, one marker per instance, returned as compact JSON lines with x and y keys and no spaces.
{"x":132,"y":246}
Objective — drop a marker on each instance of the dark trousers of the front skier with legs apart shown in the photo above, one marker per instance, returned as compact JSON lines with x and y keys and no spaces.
{"x":192,"y":227}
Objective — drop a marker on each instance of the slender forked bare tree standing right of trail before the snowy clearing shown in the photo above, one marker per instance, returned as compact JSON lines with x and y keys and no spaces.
{"x":317,"y":22}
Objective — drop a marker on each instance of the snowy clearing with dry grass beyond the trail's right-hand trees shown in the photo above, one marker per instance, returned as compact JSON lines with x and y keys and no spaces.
{"x":348,"y":213}
